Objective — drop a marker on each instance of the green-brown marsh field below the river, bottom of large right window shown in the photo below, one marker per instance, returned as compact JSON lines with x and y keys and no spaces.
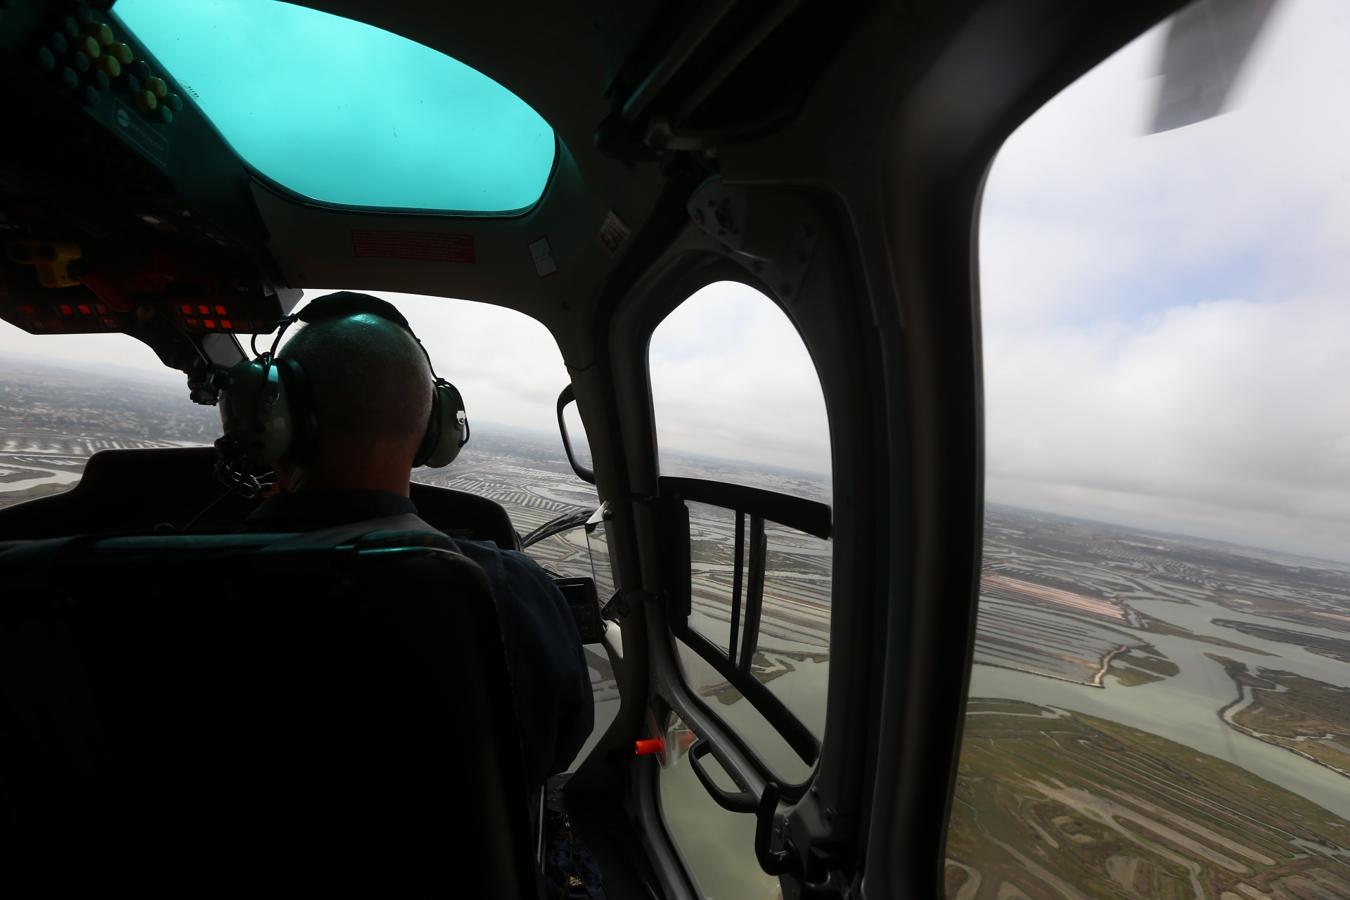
{"x":1058,"y":805}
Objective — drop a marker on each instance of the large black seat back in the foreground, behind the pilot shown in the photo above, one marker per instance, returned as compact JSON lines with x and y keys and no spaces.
{"x":232,"y":716}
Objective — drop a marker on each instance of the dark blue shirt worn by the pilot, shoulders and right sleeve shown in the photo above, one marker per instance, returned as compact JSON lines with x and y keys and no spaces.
{"x":542,"y":644}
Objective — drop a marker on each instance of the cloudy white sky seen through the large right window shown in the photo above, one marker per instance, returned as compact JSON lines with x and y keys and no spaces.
{"x":1166,"y":318}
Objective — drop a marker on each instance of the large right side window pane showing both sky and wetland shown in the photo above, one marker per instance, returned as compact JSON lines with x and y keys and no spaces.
{"x":1160,"y":702}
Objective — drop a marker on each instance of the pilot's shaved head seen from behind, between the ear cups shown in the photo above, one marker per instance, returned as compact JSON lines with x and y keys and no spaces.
{"x":372,"y":389}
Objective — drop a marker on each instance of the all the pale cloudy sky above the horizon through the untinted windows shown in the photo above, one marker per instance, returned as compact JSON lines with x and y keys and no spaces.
{"x":1167,"y":318}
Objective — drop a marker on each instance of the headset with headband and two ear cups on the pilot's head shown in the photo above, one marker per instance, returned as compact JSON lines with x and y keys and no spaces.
{"x":268,"y":410}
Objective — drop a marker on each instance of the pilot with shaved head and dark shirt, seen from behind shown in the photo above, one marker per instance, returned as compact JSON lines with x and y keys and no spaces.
{"x":371,"y":389}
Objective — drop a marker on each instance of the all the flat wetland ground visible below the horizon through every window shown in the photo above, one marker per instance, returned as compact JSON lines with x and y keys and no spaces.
{"x":1151,"y":716}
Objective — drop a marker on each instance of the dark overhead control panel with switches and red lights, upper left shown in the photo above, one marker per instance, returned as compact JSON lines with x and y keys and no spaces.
{"x":122,"y":210}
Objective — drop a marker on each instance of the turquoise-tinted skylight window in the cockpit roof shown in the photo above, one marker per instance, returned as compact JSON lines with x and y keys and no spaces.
{"x":344,"y":113}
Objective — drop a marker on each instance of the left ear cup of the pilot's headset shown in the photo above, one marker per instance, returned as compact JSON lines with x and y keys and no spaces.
{"x":256,"y":412}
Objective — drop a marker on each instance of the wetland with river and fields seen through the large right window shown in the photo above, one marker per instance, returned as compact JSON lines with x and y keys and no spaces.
{"x":1152,"y":716}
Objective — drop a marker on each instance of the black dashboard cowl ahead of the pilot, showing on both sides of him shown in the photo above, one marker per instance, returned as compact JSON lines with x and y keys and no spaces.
{"x":136,"y":490}
